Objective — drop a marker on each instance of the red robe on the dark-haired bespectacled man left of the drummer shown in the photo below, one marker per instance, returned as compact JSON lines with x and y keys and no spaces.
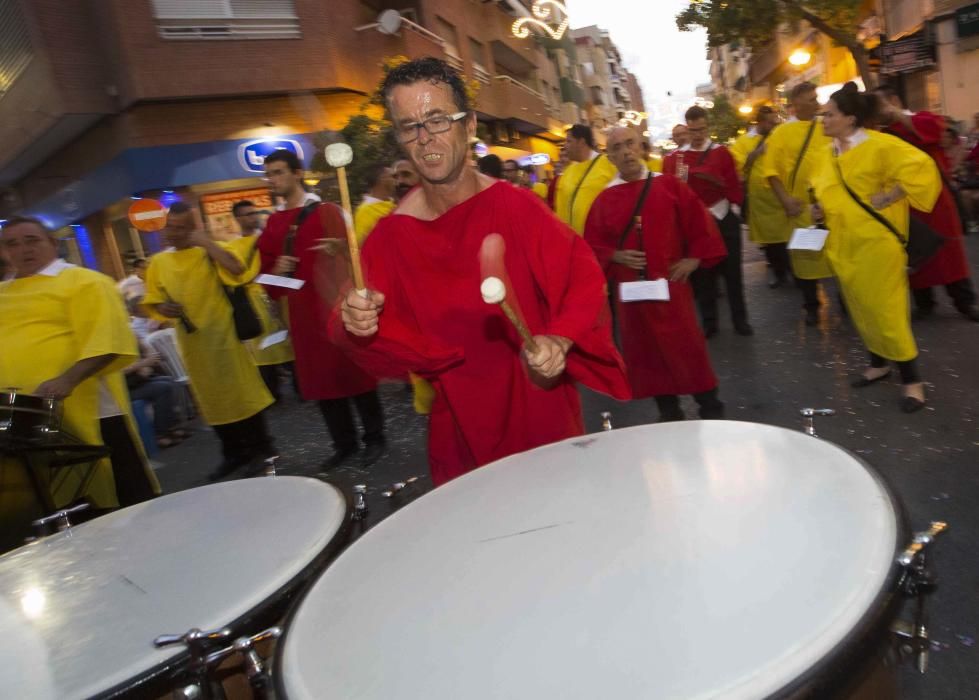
{"x":324,"y":371}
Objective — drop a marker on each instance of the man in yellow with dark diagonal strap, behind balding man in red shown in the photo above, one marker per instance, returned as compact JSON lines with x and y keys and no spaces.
{"x":583,"y":179}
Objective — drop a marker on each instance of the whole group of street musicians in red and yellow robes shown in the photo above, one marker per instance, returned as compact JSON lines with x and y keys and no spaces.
{"x":614,"y":266}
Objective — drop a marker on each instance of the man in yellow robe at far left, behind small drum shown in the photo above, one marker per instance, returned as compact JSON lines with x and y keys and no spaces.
{"x":65,"y":335}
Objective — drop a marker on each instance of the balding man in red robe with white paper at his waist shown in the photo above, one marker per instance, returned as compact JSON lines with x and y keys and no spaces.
{"x":671,"y":236}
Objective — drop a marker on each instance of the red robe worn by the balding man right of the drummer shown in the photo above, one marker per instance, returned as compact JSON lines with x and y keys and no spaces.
{"x":664,"y":348}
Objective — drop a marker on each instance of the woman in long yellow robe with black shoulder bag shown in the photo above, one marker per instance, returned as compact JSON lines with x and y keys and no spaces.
{"x":887,"y":175}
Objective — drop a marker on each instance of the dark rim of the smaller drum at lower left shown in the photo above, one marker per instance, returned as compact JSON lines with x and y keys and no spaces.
{"x":171,"y":669}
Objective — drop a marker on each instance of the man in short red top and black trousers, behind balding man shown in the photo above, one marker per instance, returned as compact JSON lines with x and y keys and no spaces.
{"x":711,"y":172}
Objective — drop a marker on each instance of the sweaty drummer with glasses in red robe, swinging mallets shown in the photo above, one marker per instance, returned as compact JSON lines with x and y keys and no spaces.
{"x":424,"y":312}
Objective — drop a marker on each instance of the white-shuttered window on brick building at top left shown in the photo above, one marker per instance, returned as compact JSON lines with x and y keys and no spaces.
{"x":226,"y":19}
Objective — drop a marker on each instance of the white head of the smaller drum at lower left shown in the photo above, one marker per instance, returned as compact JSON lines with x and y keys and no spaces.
{"x":89,"y":603}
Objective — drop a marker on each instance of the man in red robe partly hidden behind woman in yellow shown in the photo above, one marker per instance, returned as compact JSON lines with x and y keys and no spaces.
{"x":949,"y":267}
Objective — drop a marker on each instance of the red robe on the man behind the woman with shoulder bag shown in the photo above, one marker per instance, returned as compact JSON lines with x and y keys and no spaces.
{"x":950,"y":264}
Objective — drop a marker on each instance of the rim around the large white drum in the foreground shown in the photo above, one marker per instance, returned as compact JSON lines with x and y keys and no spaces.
{"x":833,"y":671}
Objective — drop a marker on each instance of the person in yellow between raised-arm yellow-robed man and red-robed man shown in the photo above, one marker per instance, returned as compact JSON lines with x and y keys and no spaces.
{"x":278,"y":354}
